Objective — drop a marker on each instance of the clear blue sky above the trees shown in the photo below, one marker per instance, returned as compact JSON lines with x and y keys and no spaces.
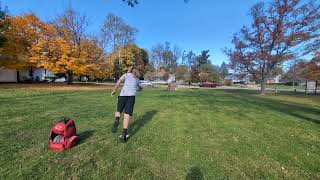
{"x":197,"y":25}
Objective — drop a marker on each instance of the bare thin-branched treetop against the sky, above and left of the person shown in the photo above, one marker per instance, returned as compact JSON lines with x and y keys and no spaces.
{"x":116,"y":33}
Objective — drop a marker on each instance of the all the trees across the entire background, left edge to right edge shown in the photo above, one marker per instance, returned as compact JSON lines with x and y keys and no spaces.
{"x":280,"y":31}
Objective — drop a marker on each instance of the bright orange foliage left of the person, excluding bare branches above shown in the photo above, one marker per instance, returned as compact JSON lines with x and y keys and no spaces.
{"x":55,"y":53}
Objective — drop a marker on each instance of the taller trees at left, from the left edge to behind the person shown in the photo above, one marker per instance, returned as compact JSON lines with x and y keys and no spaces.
{"x":64,"y":47}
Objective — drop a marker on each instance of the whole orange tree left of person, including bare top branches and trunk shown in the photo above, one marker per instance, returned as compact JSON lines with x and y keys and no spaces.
{"x":64,"y":49}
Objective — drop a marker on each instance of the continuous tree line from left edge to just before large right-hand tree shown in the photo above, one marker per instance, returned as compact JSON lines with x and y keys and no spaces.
{"x":64,"y":47}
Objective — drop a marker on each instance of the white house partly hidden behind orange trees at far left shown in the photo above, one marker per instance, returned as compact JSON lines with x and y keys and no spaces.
{"x":12,"y":75}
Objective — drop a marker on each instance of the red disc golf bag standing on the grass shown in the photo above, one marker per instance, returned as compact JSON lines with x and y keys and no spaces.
{"x":63,"y":135}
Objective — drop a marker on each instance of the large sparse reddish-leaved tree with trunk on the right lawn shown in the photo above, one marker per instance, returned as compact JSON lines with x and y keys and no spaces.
{"x":278,"y":32}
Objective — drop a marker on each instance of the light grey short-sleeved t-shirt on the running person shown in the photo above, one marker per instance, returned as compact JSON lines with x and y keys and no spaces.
{"x":131,"y":83}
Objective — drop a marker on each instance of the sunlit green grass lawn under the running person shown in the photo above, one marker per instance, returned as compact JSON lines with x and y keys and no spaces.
{"x":188,"y":134}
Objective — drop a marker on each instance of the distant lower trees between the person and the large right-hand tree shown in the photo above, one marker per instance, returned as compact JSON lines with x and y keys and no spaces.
{"x":187,"y":66}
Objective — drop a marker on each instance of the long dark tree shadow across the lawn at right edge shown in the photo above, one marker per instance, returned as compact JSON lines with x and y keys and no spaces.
{"x":262,"y":102}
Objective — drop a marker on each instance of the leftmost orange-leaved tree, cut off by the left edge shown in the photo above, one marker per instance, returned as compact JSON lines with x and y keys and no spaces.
{"x":22,"y":32}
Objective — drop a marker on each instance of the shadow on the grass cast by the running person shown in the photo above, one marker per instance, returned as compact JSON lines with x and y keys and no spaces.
{"x":140,"y":122}
